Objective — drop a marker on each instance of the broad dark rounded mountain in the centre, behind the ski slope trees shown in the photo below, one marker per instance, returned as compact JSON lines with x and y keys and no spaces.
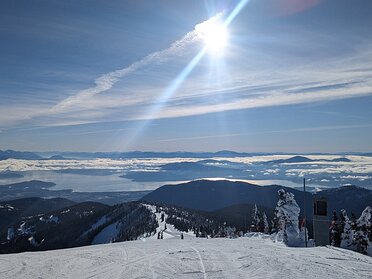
{"x":211,"y":195}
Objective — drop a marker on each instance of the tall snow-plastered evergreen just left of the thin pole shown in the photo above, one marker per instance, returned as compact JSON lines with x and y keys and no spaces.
{"x":287,"y":211}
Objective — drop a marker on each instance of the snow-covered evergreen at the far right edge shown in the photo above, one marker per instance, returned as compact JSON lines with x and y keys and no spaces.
{"x":360,"y":235}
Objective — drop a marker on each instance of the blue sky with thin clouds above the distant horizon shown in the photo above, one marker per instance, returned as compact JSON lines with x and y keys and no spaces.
{"x":294,"y":76}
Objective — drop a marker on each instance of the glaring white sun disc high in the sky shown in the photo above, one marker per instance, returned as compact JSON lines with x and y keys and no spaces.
{"x":215,"y":37}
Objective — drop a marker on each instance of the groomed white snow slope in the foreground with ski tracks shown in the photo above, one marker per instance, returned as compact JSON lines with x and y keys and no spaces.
{"x":189,"y":258}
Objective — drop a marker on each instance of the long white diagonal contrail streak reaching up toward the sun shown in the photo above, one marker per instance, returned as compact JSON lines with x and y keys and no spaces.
{"x":107,"y":81}
